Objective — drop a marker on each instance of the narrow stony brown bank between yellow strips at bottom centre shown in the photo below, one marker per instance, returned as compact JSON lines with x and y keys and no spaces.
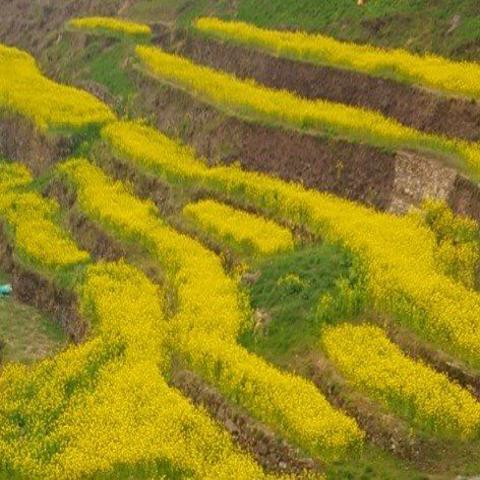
{"x":271,"y":452}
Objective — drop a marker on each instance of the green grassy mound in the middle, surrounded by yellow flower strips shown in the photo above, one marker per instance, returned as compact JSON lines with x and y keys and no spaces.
{"x":289,"y":289}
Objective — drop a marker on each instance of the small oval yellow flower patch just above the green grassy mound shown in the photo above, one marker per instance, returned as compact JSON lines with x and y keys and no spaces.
{"x":239,"y":229}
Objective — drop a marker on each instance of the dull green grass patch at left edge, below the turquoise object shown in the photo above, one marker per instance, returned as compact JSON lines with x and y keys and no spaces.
{"x":28,"y":335}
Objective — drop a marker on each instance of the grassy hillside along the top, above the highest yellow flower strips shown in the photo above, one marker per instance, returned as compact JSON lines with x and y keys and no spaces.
{"x":442,"y":27}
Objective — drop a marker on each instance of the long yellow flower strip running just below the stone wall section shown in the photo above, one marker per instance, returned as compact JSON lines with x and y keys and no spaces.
{"x":399,"y":253}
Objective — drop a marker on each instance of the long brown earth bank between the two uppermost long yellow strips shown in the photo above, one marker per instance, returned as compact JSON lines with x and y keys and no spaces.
{"x":412,"y":106}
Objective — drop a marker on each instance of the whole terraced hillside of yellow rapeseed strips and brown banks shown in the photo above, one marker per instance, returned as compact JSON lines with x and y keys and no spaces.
{"x":228,"y":317}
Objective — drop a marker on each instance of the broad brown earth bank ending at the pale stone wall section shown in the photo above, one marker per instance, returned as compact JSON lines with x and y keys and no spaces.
{"x":357,"y":172}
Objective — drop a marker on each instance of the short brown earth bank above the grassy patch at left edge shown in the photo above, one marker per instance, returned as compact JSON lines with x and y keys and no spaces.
{"x":34,"y":289}
